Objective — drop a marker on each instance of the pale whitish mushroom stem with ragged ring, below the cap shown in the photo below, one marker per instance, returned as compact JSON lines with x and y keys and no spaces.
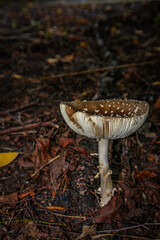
{"x":105,"y":172}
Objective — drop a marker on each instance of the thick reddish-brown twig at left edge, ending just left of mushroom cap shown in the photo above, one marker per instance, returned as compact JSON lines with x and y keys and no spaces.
{"x":29,"y":126}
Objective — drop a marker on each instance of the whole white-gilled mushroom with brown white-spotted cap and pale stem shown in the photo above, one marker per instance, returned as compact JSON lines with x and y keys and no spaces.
{"x":104,"y":120}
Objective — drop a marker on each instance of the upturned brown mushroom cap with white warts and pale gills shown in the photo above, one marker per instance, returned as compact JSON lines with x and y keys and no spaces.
{"x":108,"y":119}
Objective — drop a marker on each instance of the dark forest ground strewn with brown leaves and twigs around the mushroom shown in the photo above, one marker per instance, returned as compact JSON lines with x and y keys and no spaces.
{"x":52,"y":53}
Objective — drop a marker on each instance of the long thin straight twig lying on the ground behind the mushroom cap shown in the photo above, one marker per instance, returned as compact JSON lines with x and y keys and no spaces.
{"x":99,"y":70}
